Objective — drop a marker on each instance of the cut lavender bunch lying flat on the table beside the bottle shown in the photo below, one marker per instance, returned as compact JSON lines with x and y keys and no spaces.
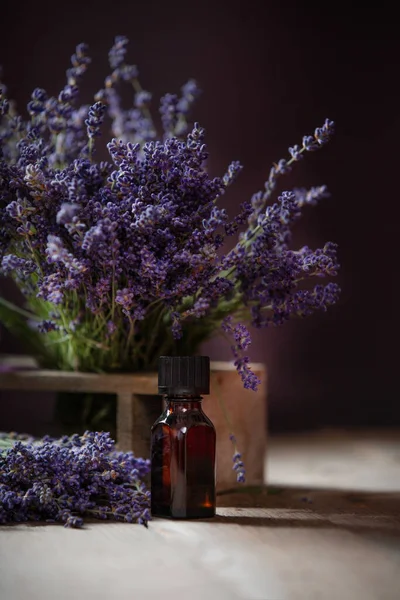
{"x":72,"y":478}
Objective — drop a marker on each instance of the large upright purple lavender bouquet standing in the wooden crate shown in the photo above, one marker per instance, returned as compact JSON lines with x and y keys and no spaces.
{"x":122,"y":260}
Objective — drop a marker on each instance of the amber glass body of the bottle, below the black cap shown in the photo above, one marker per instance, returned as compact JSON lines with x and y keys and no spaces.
{"x":183,"y":461}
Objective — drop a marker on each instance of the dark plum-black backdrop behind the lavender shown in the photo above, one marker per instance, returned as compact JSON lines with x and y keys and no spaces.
{"x":270,"y":73}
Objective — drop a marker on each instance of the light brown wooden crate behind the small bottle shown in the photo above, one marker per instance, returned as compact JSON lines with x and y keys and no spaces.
{"x":138,"y":406}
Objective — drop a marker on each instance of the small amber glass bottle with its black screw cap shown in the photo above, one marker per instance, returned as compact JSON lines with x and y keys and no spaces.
{"x":183,"y":442}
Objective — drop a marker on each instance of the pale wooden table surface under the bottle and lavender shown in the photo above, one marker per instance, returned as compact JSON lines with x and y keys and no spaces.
{"x":305,"y":541}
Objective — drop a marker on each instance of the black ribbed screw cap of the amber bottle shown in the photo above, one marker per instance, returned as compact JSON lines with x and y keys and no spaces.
{"x":184,"y":375}
